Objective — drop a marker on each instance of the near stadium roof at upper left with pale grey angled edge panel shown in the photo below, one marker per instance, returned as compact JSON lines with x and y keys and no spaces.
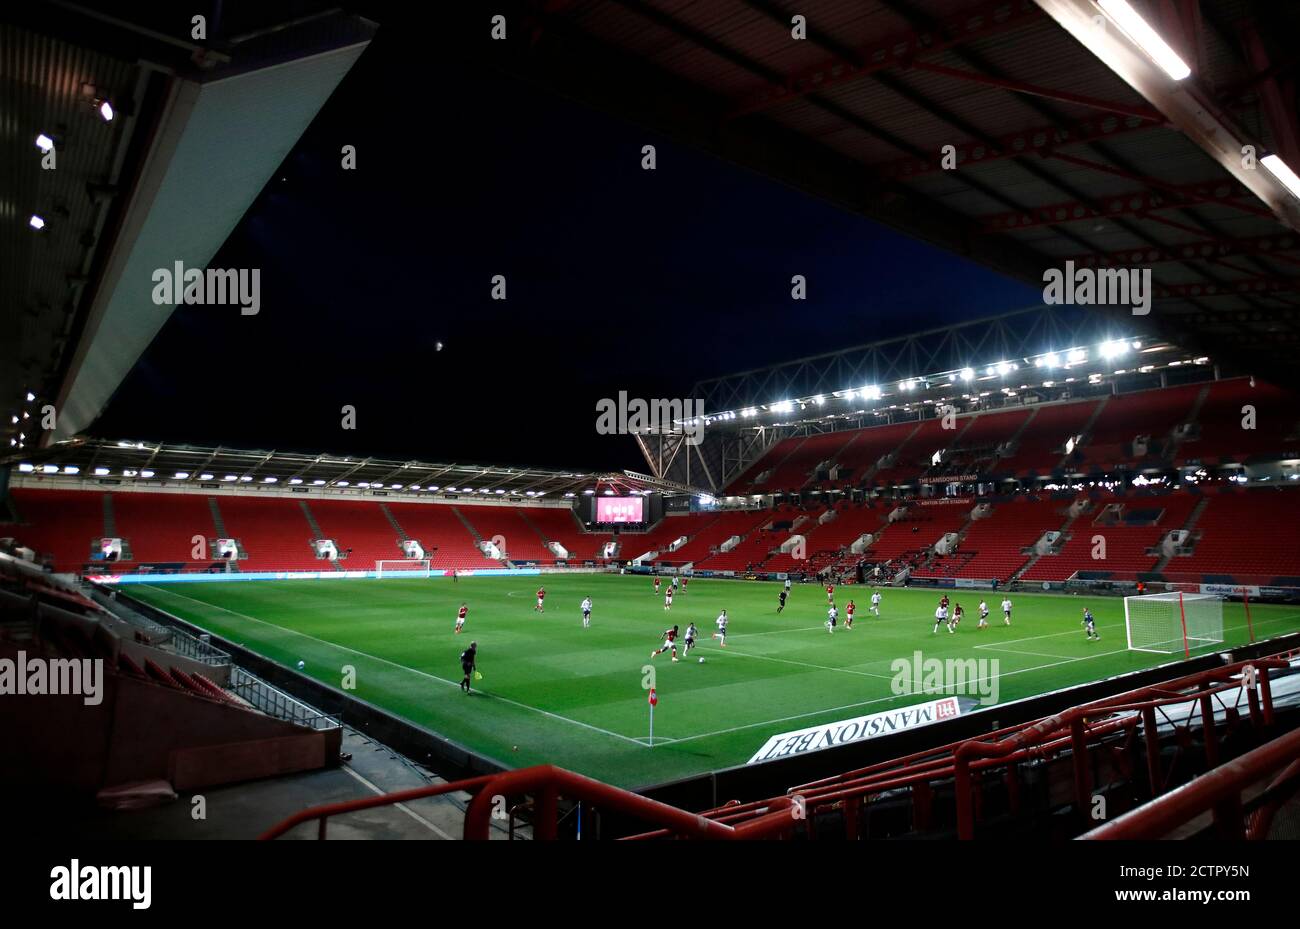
{"x":194,"y":132}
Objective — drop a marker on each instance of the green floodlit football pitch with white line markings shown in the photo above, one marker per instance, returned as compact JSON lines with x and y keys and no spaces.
{"x":561,"y":694}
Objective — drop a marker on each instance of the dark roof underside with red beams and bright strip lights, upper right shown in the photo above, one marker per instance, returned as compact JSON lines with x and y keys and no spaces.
{"x":1071,"y":142}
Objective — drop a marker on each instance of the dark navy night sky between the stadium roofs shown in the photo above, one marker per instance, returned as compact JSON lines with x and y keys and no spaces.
{"x":618,"y":279}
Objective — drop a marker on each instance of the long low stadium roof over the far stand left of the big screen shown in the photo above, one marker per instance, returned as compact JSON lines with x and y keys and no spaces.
{"x":98,"y":462}
